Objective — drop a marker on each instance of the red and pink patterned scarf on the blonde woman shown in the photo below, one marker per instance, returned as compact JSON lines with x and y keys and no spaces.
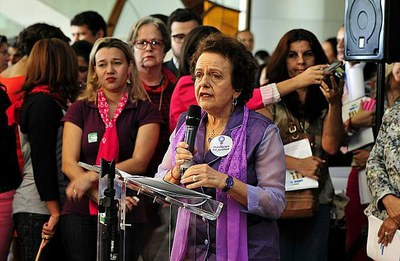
{"x":109,"y":144}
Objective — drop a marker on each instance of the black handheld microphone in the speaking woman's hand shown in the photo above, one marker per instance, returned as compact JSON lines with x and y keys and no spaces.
{"x":192,"y":123}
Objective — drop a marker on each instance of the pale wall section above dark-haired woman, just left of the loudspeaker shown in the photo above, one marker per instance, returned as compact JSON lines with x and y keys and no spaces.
{"x":271,"y":19}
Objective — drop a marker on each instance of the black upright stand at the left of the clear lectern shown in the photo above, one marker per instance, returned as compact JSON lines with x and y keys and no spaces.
{"x":108,"y":205}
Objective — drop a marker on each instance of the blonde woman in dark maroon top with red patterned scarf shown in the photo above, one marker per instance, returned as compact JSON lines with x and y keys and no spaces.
{"x":110,"y":120}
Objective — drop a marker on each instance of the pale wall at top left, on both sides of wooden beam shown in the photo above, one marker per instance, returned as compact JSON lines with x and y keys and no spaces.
{"x":15,"y":15}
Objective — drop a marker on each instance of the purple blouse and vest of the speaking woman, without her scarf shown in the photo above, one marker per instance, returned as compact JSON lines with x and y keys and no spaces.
{"x":266,"y":185}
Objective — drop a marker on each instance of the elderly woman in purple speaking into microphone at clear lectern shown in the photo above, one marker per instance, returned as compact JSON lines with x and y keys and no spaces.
{"x":248,"y":177}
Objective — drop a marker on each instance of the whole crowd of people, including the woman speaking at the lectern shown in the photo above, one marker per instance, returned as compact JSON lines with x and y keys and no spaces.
{"x":92,"y":96}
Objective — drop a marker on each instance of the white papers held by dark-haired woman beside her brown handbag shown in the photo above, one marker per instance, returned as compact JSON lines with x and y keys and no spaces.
{"x":294,"y":181}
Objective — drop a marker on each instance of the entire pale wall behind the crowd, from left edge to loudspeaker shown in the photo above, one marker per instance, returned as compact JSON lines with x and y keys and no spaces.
{"x":270,"y":19}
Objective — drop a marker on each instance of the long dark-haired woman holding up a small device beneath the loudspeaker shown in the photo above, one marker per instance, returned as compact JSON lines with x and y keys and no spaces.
{"x":316,"y":111}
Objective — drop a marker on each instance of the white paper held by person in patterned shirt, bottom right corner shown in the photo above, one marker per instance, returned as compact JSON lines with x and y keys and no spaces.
{"x":377,"y":251}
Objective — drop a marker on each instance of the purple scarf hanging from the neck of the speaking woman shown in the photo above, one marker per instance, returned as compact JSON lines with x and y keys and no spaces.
{"x":231,"y":234}
